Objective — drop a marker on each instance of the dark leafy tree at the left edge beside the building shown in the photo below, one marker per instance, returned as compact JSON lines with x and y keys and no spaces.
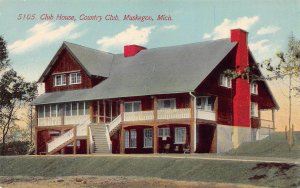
{"x":15,"y":93}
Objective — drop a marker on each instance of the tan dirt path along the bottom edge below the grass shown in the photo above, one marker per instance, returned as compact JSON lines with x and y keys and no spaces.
{"x":107,"y":182}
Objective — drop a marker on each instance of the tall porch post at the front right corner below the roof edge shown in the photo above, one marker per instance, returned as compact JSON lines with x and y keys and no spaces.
{"x":192,"y":125}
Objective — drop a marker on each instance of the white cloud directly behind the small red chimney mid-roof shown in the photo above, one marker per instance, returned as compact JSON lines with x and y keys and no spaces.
{"x":131,"y":35}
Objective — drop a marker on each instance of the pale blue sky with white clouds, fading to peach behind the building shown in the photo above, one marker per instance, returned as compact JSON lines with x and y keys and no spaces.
{"x":33,"y":40}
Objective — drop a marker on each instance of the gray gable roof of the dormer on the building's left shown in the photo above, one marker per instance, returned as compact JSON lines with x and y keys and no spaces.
{"x":94,"y":62}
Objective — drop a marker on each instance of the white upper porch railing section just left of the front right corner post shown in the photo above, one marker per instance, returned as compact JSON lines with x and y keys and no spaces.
{"x":174,"y":113}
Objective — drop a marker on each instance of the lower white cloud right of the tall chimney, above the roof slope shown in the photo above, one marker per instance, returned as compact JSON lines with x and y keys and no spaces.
{"x":261,"y":49}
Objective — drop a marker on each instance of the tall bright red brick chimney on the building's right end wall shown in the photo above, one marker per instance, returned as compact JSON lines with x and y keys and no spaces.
{"x":241,"y":87}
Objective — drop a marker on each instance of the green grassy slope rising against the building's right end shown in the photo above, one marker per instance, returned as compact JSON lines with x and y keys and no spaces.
{"x":273,"y":146}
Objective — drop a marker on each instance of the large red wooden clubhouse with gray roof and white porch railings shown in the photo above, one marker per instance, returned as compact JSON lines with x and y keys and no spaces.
{"x":170,"y":99}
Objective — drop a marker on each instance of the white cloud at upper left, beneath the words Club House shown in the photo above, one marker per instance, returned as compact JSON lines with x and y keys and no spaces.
{"x":42,"y":34}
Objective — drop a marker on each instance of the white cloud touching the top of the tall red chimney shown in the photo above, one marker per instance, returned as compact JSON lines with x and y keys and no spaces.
{"x":223,"y":30}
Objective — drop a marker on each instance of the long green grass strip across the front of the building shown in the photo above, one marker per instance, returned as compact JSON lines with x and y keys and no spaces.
{"x":166,"y":168}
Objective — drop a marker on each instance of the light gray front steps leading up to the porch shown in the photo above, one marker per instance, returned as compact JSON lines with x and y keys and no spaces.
{"x":99,"y":138}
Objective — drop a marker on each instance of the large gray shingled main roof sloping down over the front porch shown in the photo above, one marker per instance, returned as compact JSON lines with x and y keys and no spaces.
{"x":166,"y":70}
